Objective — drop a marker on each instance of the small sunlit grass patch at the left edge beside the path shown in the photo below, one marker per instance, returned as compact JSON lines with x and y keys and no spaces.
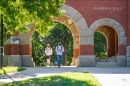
{"x":6,"y":70}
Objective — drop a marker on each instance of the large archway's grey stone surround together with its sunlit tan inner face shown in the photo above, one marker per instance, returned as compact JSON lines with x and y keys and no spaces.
{"x":77,"y":26}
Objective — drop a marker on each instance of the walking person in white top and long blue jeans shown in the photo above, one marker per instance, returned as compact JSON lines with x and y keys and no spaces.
{"x":59,"y":51}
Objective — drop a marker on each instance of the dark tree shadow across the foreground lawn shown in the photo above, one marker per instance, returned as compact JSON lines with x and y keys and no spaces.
{"x":50,"y":81}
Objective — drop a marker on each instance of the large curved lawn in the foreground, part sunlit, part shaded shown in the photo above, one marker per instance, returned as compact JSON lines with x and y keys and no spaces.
{"x":65,"y":79}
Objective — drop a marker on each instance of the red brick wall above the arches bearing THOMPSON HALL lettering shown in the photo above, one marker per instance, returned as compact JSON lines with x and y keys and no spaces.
{"x":85,"y":7}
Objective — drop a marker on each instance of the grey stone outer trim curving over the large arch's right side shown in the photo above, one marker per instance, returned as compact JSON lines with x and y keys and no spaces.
{"x":78,"y":20}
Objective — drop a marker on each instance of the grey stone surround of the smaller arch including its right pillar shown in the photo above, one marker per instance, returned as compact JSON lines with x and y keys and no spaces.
{"x":122,"y":39}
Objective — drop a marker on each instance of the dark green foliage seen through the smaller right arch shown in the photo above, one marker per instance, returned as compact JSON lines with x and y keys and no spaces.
{"x":100,"y":45}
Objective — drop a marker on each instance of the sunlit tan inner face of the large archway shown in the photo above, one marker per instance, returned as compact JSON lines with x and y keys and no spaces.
{"x":68,"y":22}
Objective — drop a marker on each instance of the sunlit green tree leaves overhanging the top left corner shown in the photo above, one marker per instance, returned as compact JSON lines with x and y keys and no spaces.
{"x":19,"y":13}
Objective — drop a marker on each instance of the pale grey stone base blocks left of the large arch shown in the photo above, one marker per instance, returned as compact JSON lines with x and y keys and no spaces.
{"x":18,"y":60}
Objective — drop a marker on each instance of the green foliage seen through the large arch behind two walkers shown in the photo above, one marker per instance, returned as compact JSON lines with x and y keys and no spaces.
{"x":60,"y":33}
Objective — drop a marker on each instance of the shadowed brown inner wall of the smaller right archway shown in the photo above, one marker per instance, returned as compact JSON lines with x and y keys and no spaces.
{"x":111,"y":41}
